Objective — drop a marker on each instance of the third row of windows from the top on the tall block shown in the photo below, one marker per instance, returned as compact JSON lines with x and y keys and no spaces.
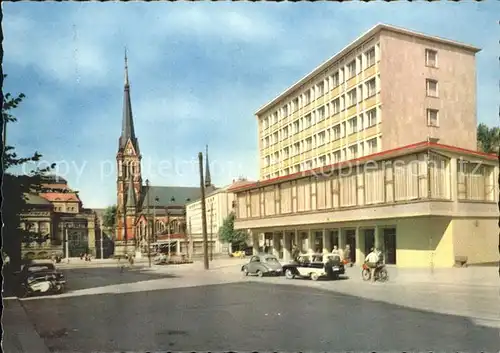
{"x":330,"y":134}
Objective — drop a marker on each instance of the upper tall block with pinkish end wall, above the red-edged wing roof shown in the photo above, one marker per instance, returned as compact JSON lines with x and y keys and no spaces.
{"x":388,"y":88}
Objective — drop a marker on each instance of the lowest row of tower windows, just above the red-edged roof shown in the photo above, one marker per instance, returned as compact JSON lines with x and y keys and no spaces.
{"x":354,"y":151}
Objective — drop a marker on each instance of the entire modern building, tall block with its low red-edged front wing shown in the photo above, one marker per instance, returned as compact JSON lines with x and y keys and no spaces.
{"x":377,"y":148}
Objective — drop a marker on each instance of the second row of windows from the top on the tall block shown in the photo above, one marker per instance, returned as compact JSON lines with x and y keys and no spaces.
{"x":335,"y":106}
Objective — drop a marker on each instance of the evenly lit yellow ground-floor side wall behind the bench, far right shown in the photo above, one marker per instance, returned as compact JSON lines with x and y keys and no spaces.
{"x":477,"y":239}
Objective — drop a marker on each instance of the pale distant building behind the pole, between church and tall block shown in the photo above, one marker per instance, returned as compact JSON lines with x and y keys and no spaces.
{"x":219,"y":204}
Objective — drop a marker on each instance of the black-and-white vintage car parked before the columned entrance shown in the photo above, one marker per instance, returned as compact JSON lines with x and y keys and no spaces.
{"x":315,"y":266}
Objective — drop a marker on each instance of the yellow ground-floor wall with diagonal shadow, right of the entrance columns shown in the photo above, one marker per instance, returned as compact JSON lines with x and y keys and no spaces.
{"x":424,"y":242}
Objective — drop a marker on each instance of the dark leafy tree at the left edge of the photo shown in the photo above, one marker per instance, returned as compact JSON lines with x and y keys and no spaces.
{"x":16,"y":187}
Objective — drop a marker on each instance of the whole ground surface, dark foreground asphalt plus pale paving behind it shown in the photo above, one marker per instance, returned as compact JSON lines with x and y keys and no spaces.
{"x":186,"y":308}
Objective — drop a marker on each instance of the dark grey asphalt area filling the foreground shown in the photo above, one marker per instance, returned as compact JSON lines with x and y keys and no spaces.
{"x":247,"y":316}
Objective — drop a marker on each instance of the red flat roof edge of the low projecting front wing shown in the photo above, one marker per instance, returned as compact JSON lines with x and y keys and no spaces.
{"x":400,"y":151}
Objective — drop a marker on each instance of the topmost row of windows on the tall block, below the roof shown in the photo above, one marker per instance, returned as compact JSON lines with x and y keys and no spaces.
{"x":354,"y":67}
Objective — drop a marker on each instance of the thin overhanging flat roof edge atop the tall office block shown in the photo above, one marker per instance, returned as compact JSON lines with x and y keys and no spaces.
{"x":371,"y":32}
